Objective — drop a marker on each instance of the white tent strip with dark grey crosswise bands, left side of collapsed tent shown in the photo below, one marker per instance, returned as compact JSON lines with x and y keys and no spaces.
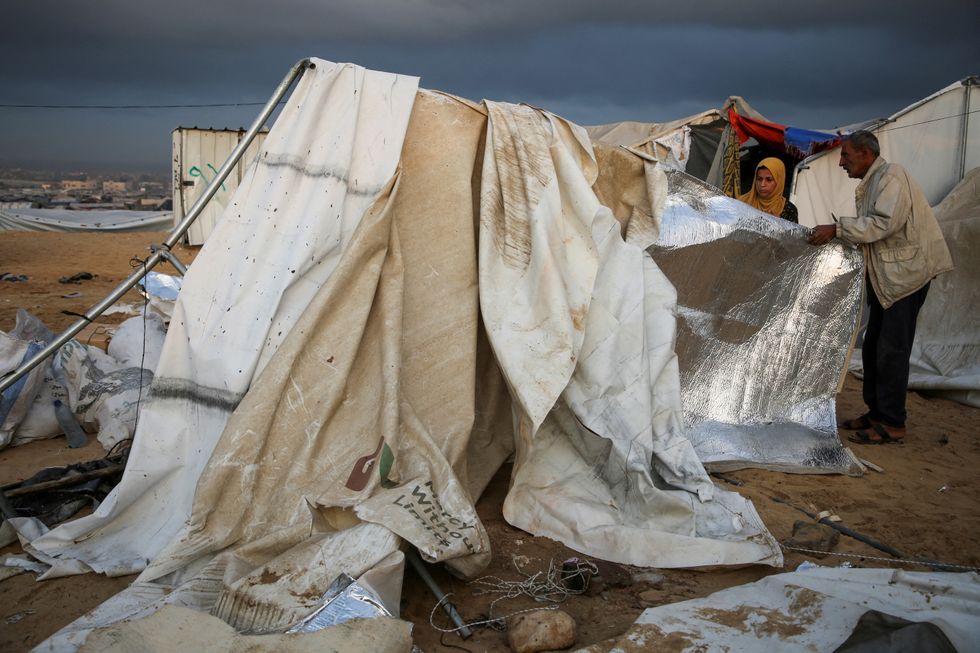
{"x":330,"y":154}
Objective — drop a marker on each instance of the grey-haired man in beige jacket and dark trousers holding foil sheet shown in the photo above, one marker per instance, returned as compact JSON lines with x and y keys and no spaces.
{"x":904,"y":250}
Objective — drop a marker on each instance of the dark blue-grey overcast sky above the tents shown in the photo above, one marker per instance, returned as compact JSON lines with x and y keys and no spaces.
{"x":810,"y":64}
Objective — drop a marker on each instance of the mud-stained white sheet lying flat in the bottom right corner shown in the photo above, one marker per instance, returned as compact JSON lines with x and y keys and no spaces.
{"x":812,"y":611}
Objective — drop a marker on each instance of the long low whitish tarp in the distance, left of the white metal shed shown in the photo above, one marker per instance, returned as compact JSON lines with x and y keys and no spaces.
{"x":68,"y":220}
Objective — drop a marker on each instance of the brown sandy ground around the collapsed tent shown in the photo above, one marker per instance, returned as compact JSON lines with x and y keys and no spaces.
{"x":924,"y":503}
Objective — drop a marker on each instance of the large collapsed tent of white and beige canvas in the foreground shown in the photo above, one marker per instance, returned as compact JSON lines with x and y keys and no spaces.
{"x":407,"y":289}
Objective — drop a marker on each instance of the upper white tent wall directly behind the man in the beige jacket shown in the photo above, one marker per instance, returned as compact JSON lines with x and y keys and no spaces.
{"x":937,"y":139}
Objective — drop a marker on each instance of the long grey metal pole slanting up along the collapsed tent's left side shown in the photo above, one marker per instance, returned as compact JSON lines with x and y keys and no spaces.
{"x":163,"y":250}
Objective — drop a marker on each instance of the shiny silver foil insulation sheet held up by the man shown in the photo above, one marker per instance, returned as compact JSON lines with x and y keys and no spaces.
{"x":765,"y":323}
